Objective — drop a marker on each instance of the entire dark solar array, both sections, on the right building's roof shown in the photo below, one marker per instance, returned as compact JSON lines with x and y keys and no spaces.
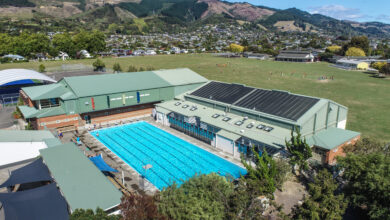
{"x":278,"y":103}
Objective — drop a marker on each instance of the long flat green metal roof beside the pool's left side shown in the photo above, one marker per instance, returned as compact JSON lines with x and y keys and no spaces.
{"x":80,"y":181}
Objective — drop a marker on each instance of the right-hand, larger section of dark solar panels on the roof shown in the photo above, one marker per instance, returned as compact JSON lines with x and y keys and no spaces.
{"x":278,"y":103}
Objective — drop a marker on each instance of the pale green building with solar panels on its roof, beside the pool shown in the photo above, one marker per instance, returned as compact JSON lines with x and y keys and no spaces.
{"x":233,"y":117}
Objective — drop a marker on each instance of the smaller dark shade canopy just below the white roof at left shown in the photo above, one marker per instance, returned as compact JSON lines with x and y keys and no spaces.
{"x":33,"y":172}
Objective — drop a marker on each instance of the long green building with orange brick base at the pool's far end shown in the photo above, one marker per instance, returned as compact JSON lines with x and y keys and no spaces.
{"x":81,"y":100}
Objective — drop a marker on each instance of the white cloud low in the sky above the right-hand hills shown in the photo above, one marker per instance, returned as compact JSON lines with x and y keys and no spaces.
{"x":339,"y":12}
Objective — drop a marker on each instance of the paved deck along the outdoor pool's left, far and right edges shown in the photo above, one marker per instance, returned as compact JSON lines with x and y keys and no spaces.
{"x":133,"y":181}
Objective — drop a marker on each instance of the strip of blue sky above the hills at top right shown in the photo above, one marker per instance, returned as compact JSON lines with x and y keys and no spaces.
{"x":355,"y":10}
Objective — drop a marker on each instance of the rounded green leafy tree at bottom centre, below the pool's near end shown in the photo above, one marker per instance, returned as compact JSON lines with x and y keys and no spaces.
{"x":200,"y":197}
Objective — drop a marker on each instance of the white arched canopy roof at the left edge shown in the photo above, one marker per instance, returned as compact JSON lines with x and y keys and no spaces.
{"x":11,"y":75}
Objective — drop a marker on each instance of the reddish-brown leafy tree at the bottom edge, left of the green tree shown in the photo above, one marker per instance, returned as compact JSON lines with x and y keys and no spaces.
{"x":139,"y":207}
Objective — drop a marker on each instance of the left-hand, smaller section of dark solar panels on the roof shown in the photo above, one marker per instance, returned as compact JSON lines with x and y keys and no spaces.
{"x":222,"y":92}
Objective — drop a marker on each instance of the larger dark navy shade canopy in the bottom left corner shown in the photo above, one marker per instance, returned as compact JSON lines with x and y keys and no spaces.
{"x":44,"y":202}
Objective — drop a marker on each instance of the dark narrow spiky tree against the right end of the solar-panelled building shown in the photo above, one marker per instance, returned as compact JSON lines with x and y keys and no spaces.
{"x":299,"y":150}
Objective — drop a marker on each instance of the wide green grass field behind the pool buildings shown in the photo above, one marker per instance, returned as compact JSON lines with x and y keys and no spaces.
{"x":367,"y":98}
